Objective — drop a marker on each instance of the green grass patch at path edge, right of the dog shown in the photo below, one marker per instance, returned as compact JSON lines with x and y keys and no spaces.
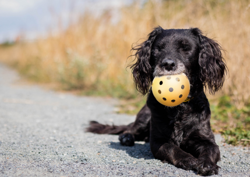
{"x":232,"y":122}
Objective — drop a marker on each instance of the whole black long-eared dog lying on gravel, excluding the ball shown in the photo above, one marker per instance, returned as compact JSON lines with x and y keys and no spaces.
{"x":180,"y":135}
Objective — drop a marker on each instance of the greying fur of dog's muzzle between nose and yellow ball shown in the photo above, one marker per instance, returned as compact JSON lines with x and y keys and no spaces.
{"x":163,"y":72}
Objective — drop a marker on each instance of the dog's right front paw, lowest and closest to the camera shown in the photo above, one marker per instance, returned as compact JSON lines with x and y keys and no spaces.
{"x":205,"y":167}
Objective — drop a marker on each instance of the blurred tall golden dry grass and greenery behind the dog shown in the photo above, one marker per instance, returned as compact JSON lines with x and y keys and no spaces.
{"x":91,"y":55}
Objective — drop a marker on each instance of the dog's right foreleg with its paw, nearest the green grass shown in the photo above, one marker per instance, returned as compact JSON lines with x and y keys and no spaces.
{"x":206,"y":150}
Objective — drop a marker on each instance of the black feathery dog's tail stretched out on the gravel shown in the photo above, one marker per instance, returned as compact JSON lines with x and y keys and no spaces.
{"x":96,"y":127}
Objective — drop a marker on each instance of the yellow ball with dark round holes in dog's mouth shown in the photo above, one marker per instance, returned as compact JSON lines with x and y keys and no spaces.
{"x":171,"y":90}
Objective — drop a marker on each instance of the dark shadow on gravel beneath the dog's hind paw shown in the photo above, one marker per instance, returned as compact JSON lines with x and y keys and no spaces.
{"x":137,"y":151}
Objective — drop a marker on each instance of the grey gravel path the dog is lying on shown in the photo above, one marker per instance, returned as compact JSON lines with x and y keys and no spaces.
{"x":41,"y":134}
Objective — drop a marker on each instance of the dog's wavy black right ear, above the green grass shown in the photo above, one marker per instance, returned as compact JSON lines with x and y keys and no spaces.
{"x":212,"y":65}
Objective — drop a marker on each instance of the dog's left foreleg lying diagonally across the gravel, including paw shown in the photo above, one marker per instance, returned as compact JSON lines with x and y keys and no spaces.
{"x":168,"y":152}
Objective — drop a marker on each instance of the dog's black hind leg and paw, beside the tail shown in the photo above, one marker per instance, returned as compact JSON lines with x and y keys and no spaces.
{"x":139,"y":131}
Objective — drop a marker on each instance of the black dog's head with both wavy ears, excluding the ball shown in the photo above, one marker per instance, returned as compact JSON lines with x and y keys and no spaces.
{"x":175,"y":51}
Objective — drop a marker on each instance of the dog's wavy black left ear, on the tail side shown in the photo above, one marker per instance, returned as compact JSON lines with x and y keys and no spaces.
{"x":141,"y":69}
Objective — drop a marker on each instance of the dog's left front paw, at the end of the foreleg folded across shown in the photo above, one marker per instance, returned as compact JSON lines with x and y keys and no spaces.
{"x":187,"y":163}
